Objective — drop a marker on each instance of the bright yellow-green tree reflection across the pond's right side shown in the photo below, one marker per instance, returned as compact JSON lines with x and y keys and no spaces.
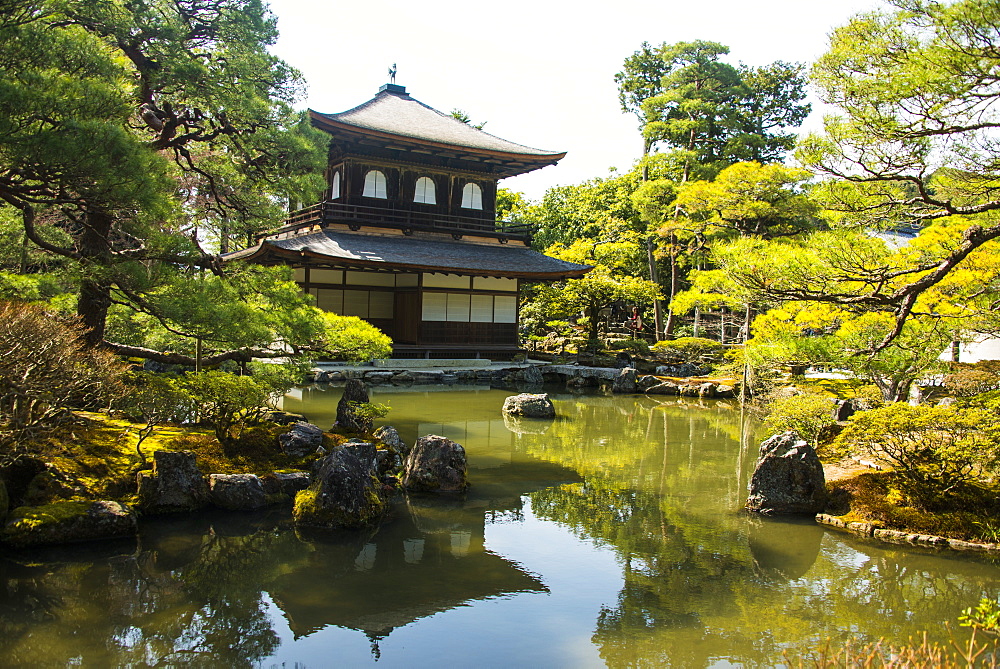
{"x":704,"y":582}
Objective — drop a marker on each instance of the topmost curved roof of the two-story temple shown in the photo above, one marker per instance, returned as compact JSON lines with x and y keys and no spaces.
{"x":396,"y":113}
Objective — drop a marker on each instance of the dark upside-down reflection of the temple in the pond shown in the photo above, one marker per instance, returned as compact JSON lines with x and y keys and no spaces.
{"x":430,"y":555}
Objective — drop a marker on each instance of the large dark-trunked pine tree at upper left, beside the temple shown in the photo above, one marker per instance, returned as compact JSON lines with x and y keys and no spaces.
{"x":134,"y":131}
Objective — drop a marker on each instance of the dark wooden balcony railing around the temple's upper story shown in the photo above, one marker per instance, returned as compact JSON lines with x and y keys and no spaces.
{"x":335,"y":212}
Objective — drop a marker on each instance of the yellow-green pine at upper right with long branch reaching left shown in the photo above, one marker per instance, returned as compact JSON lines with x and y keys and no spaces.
{"x":914,"y":141}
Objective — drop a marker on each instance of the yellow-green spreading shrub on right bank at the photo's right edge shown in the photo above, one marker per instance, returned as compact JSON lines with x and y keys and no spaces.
{"x":934,"y":451}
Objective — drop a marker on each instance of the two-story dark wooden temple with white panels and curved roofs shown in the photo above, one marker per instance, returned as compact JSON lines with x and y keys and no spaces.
{"x":407,"y":236}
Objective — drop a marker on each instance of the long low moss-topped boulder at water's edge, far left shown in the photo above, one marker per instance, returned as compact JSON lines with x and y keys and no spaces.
{"x":68,"y":521}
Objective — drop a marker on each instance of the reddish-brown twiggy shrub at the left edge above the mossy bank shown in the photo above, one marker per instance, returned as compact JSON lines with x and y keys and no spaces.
{"x":46,"y":369}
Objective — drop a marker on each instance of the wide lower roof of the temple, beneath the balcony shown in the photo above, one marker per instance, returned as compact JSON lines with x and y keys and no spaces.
{"x":412,"y":253}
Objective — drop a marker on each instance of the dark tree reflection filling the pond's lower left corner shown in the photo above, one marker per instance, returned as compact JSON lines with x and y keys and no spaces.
{"x":203,"y":609}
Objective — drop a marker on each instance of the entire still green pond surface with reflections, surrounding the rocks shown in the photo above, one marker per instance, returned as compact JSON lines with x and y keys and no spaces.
{"x":611,"y":536}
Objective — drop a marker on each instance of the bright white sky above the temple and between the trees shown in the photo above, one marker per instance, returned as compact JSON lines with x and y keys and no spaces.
{"x":539,"y":72}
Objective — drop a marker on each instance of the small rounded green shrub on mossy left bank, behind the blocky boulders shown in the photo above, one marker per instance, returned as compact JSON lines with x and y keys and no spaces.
{"x":227,"y":402}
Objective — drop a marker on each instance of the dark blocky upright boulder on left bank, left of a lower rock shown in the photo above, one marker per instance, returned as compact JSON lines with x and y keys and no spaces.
{"x":175,"y":484}
